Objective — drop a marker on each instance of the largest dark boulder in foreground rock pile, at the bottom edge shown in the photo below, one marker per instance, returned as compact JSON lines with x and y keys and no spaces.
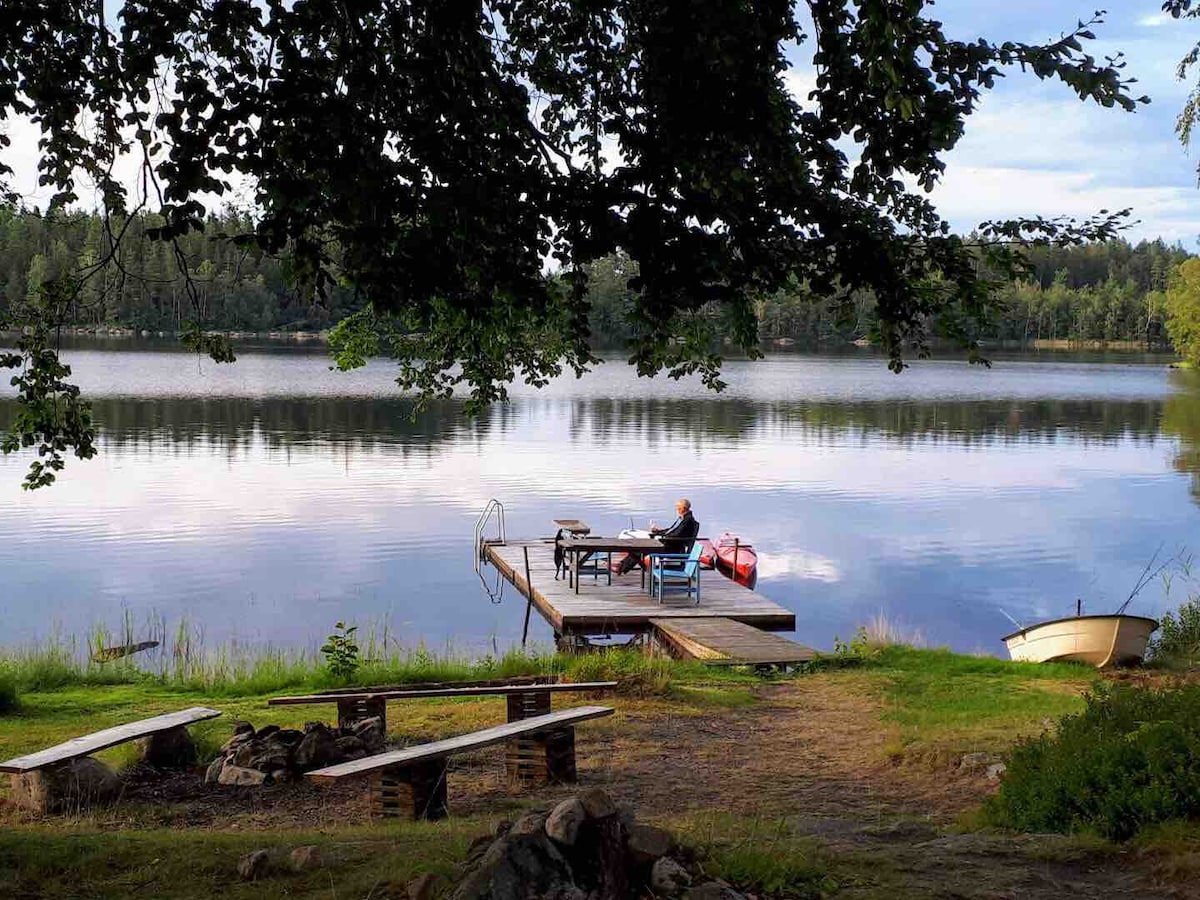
{"x":521,"y":867}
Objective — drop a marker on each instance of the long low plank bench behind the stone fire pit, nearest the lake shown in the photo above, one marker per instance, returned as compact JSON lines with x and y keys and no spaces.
{"x":524,"y":700}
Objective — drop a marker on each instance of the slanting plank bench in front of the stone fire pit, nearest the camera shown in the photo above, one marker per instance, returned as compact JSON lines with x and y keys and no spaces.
{"x":413,"y":782}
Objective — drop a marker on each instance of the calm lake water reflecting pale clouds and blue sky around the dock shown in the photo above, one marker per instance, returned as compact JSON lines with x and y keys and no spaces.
{"x":266,"y":501}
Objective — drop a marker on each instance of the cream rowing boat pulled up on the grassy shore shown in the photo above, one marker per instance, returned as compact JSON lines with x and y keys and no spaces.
{"x":1097,"y":640}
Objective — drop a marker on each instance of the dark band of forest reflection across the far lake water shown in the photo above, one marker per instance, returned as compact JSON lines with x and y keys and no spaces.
{"x":361,"y":423}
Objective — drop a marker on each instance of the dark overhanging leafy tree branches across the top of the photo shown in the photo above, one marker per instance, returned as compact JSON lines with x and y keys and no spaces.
{"x":459,"y":166}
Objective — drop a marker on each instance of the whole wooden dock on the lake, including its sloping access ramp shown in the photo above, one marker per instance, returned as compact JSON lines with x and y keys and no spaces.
{"x":729,"y":615}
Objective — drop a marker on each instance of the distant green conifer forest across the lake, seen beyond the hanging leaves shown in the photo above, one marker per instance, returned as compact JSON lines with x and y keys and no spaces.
{"x":1101,"y":292}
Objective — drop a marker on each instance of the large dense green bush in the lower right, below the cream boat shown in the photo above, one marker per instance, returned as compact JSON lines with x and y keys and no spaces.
{"x":1130,"y":760}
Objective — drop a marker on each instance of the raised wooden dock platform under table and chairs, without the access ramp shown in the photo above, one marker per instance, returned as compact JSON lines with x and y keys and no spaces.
{"x":626,"y":607}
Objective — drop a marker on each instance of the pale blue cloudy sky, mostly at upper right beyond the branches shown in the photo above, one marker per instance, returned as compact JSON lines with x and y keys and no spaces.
{"x":1033,"y":148}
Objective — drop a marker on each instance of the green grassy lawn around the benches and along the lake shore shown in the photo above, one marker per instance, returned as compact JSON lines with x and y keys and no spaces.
{"x":937,"y":705}
